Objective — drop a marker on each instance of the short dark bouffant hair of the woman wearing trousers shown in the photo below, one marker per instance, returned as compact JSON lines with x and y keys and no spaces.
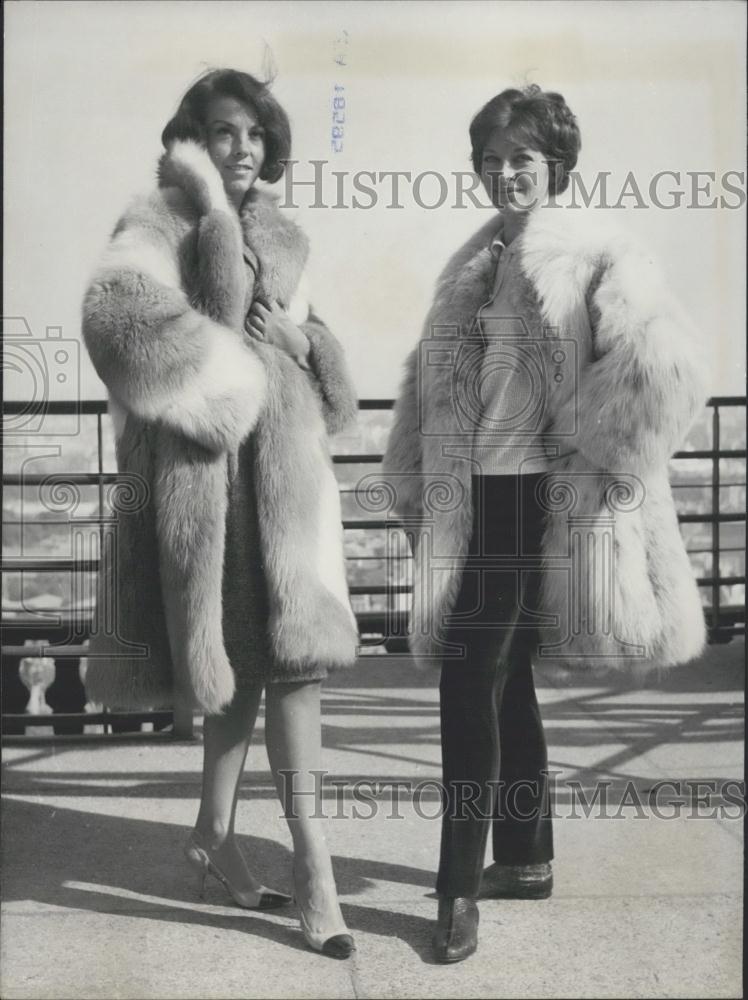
{"x":544,"y":121}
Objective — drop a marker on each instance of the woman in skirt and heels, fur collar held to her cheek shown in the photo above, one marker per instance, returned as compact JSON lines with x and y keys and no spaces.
{"x":228,"y":573}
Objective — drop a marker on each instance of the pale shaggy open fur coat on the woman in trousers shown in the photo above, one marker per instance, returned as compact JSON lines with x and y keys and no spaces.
{"x":618,"y":587}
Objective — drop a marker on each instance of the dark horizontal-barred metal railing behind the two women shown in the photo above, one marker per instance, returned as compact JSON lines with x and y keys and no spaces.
{"x":40,"y":632}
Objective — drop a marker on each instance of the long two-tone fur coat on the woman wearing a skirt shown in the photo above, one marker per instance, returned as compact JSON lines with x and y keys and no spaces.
{"x":163,"y":322}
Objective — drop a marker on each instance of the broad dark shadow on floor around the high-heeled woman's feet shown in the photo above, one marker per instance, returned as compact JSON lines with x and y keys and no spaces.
{"x":115,"y":865}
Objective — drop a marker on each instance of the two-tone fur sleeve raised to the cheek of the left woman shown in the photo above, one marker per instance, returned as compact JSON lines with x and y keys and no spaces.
{"x":160,"y":357}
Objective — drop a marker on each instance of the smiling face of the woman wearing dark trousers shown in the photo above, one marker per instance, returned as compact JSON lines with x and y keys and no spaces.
{"x":515,"y":175}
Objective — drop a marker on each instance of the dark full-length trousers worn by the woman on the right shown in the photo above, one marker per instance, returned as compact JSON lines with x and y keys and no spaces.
{"x":494,"y":755}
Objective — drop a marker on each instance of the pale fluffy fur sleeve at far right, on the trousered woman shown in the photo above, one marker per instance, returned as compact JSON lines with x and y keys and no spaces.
{"x":646,"y":383}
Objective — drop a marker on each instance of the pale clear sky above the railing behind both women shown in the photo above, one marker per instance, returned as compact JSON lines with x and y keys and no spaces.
{"x":655,"y":87}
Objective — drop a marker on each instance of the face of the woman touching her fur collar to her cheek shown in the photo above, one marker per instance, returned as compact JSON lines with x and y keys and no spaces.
{"x":235,"y":143}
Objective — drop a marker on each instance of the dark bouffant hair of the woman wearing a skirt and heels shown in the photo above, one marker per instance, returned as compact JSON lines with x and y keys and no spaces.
{"x":189,"y":120}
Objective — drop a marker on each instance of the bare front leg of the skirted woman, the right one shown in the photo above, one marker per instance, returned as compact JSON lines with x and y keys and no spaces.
{"x":293,"y":737}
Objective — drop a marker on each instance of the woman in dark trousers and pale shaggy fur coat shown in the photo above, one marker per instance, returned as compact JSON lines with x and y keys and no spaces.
{"x":554,"y":378}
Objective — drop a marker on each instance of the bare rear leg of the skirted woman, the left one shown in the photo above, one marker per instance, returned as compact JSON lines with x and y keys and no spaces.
{"x":226,"y":739}
